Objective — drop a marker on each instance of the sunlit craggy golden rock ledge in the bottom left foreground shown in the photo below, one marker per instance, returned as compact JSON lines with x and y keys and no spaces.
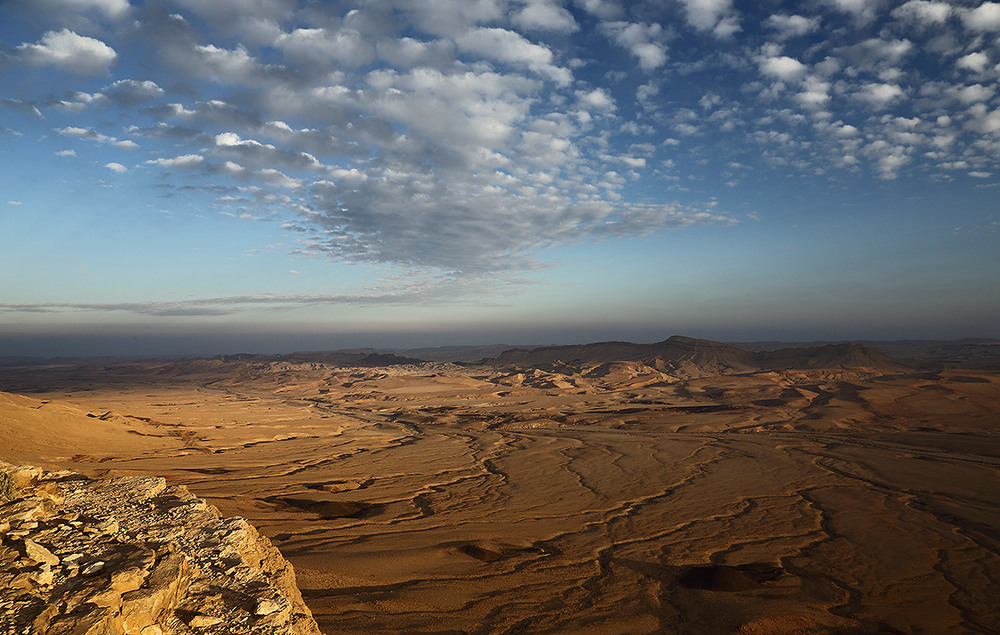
{"x":132,"y":555}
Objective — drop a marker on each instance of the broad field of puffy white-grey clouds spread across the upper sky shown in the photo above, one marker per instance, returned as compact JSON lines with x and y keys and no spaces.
{"x":468,"y":136}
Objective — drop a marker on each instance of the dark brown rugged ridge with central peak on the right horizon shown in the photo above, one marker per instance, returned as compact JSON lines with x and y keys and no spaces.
{"x":689,"y":355}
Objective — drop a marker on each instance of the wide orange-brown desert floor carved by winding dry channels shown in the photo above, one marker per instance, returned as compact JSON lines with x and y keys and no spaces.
{"x":610,"y":498}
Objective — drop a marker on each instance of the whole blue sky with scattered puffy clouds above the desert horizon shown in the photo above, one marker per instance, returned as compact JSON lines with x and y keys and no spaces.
{"x":190,"y":176}
